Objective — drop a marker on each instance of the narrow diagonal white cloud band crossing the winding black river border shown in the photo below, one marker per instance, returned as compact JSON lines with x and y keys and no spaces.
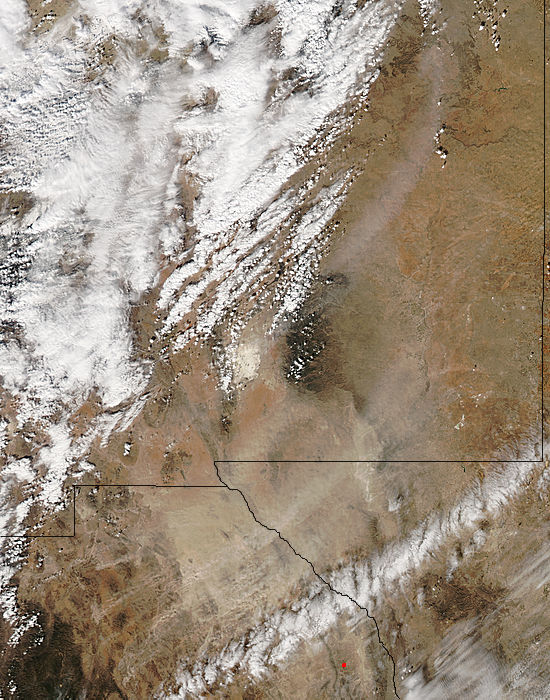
{"x":272,"y":642}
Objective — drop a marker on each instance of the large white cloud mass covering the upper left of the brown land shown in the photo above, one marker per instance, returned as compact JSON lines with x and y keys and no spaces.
{"x":101,"y":144}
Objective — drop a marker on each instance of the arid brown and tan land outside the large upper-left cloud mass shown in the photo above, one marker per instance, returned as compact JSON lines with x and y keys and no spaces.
{"x":342,"y":504}
